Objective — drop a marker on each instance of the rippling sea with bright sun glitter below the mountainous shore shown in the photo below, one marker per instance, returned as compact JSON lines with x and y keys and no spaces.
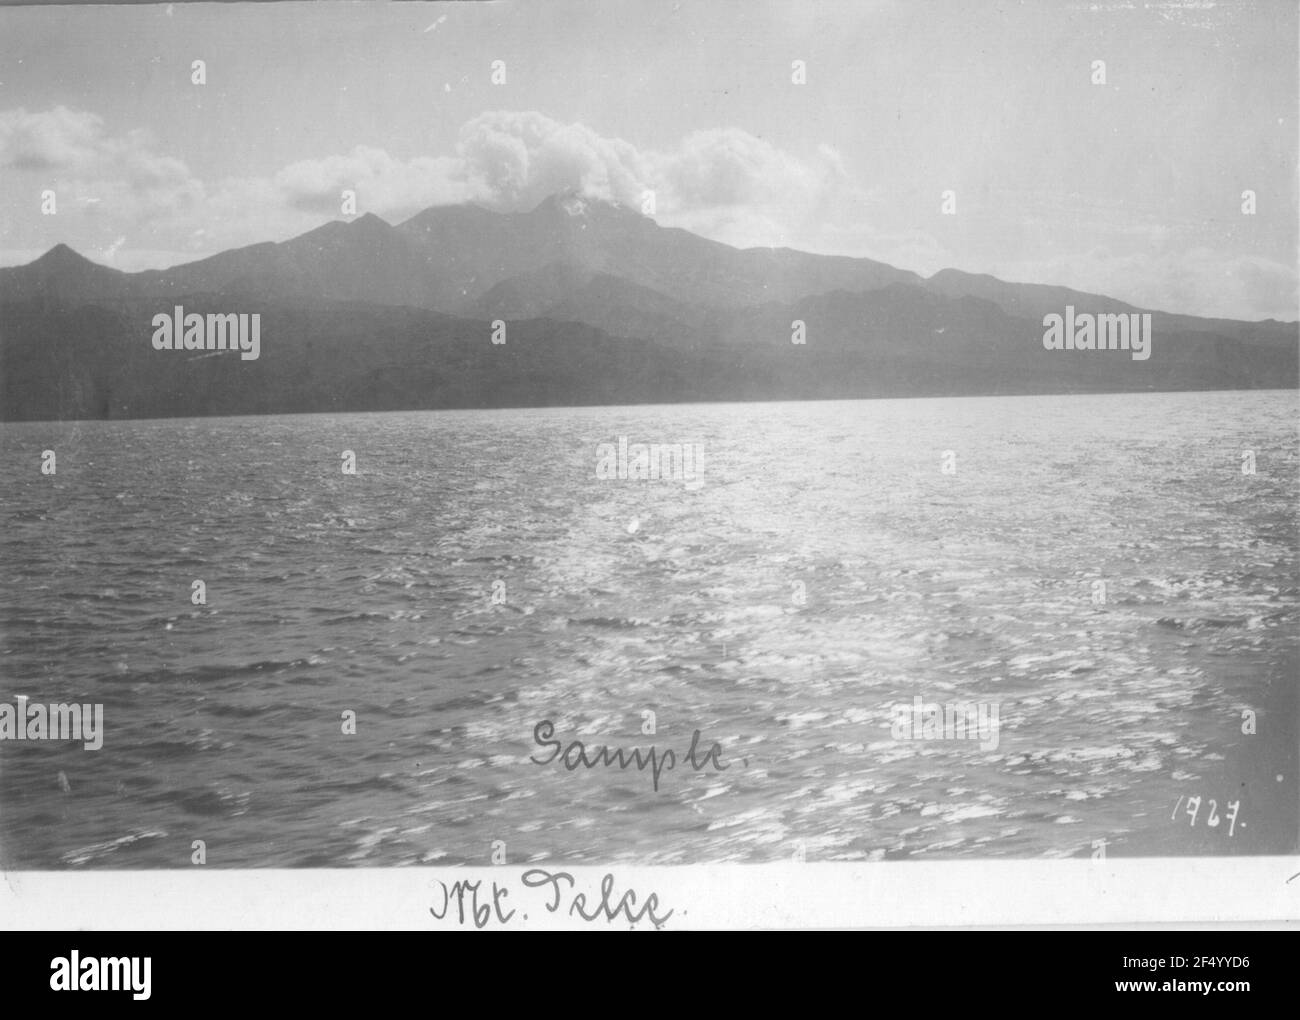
{"x":475,"y":579}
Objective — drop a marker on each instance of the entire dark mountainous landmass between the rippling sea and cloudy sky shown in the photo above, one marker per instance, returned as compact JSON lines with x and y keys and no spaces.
{"x":601,"y":306}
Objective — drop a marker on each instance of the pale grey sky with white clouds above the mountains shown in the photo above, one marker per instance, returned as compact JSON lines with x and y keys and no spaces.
{"x":1130,"y":188}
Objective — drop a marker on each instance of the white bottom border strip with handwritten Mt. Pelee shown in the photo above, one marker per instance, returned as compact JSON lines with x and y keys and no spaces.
{"x":898,"y":895}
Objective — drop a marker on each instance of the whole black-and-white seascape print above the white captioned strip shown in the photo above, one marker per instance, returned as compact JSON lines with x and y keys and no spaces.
{"x":612,"y":436}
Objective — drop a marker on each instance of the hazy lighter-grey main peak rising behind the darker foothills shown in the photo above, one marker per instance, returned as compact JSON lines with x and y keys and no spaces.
{"x":449,"y":258}
